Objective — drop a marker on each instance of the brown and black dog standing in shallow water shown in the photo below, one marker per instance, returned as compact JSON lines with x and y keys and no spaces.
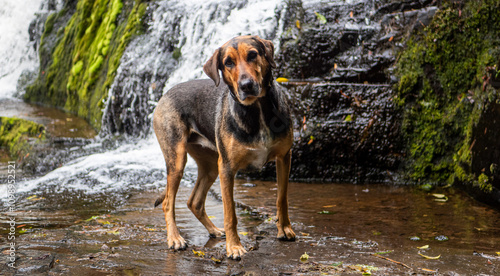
{"x":239,"y":125}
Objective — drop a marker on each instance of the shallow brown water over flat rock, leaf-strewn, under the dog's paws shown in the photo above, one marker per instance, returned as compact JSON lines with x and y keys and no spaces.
{"x":345,"y":230}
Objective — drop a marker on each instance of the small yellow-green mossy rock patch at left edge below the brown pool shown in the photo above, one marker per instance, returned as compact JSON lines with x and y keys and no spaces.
{"x":15,"y":134}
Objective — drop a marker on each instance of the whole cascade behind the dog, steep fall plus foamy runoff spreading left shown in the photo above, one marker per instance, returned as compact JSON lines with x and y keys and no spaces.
{"x":148,"y":69}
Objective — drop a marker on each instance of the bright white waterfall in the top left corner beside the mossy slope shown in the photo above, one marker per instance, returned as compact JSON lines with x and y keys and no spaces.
{"x":16,"y":51}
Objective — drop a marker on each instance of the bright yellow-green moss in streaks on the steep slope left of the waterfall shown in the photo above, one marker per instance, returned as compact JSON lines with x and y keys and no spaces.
{"x":85,"y":60}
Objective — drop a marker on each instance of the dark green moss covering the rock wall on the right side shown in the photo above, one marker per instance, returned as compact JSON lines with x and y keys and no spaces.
{"x":440,"y":90}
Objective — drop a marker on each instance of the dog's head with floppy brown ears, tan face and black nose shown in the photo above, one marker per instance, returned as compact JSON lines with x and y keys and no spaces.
{"x":245,"y":63}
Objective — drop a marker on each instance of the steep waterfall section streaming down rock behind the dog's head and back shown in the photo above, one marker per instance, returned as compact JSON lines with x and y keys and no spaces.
{"x":182,"y":36}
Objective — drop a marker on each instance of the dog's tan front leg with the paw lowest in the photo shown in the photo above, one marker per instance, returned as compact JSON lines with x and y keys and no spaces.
{"x":233,"y":244}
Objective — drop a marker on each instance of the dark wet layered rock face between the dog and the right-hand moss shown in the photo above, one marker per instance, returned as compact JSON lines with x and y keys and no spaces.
{"x":347,"y":126}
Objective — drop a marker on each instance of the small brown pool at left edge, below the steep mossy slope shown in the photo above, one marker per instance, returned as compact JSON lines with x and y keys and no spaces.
{"x":57,"y":122}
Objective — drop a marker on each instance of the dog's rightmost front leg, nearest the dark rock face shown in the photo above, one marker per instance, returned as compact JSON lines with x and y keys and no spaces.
{"x":285,"y":231}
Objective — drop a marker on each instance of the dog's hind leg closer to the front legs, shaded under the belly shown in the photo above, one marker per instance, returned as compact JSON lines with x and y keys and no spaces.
{"x":207,"y":173}
